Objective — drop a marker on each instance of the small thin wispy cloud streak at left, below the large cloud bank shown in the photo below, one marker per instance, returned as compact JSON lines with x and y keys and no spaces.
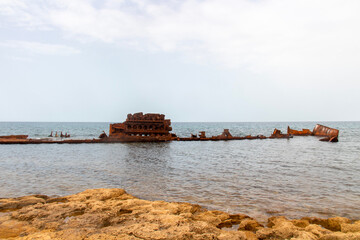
{"x":40,"y":48}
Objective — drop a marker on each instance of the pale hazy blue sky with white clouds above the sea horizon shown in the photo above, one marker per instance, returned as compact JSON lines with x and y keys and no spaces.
{"x":192,"y":60}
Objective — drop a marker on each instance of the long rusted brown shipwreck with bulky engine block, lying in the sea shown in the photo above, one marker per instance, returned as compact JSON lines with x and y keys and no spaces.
{"x":153,"y":127}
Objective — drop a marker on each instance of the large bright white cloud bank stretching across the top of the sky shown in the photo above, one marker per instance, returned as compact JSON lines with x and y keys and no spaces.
{"x":257,"y":35}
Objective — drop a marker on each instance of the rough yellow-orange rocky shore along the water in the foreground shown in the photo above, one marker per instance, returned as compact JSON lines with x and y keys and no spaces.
{"x":114,"y":214}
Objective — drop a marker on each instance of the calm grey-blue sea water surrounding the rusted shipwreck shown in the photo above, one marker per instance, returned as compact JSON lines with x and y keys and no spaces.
{"x":297,"y":177}
